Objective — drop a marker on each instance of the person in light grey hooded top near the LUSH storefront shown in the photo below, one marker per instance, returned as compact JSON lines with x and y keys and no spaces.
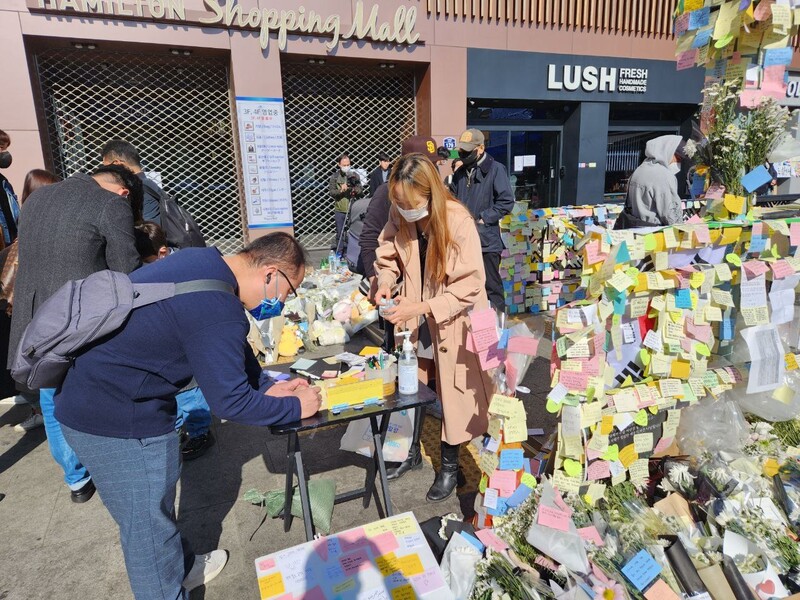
{"x":653,"y":188}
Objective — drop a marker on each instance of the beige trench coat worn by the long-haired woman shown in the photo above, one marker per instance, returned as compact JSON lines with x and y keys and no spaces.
{"x":464,"y":388}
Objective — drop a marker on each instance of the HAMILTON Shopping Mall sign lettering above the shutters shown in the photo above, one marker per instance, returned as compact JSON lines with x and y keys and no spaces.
{"x":228,"y":14}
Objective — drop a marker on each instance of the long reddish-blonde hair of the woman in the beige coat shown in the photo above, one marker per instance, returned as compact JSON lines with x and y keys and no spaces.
{"x":416,"y":175}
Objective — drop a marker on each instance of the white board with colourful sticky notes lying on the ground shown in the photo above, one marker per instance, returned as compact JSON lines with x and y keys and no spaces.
{"x":384,"y":560}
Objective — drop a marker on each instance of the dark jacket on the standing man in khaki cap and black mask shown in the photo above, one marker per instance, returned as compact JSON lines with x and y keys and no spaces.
{"x":486,"y":191}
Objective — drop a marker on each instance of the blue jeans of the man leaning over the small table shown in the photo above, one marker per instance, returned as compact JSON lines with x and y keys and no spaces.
{"x":136,"y":480}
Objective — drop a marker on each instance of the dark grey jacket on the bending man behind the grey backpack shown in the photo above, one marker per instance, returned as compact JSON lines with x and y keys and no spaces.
{"x":67,"y":231}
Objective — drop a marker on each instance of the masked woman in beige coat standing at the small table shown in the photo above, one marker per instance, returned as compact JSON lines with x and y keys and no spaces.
{"x":431,"y":241}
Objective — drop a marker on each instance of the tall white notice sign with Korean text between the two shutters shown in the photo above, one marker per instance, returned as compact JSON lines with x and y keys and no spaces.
{"x":265,"y":162}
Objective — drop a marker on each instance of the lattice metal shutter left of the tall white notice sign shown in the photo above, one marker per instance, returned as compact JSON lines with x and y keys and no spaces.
{"x":175,"y":108}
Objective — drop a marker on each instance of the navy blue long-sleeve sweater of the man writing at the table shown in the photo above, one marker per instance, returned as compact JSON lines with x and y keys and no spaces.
{"x":125,"y":386}
